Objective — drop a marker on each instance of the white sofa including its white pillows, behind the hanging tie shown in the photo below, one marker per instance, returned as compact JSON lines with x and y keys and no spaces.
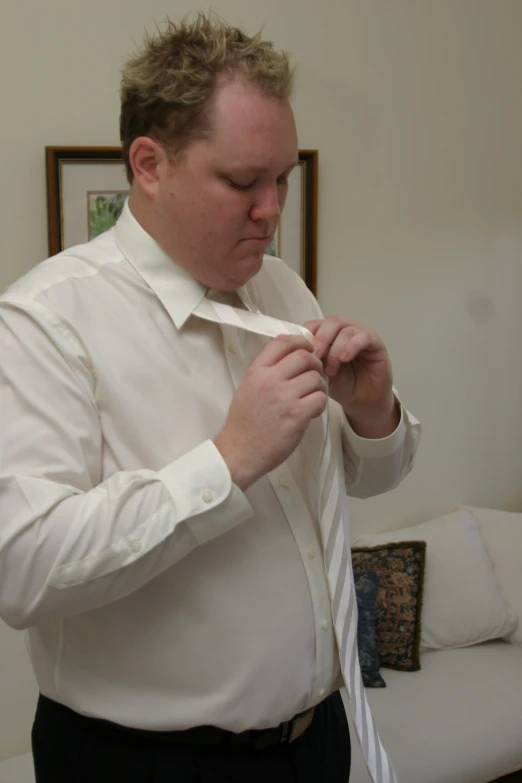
{"x":458,"y":719}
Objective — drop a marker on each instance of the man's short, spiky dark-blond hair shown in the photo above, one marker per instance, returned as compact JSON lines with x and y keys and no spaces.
{"x":166,"y":88}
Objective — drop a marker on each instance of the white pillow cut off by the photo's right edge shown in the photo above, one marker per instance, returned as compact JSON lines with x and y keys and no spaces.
{"x":502,"y":536}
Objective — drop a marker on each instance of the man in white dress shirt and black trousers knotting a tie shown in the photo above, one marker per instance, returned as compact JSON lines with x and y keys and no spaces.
{"x":159,"y":536}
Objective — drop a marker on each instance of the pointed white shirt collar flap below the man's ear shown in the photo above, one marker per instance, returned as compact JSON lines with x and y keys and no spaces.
{"x":179,"y":293}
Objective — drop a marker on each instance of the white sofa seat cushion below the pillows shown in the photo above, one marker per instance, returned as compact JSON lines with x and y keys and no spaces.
{"x":457,"y":720}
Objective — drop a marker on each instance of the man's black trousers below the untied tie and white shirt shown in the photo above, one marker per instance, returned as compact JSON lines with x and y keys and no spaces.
{"x":70,"y":748}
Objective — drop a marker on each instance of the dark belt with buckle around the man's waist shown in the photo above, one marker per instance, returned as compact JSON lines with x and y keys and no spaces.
{"x":256,"y":739}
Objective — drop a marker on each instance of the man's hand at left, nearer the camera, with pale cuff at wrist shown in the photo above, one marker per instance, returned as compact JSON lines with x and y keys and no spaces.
{"x":283,"y":389}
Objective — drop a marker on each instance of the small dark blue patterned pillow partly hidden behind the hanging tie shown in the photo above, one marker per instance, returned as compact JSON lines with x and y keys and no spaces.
{"x":366,"y":591}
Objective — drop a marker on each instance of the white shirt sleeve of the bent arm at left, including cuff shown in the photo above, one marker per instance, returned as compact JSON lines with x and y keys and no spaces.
{"x":70,"y":539}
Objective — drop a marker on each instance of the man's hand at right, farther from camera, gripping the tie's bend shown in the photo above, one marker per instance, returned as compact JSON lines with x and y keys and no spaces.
{"x":358,"y":366}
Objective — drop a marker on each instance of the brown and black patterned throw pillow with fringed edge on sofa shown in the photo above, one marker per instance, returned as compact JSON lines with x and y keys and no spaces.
{"x":399,"y":599}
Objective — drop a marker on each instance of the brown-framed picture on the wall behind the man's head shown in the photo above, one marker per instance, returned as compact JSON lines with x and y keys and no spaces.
{"x":87,"y":188}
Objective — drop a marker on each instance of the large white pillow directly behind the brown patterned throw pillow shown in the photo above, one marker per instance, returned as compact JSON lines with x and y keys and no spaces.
{"x":462,"y":601}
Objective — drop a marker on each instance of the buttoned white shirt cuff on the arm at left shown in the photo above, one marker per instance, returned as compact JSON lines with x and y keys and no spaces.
{"x":200,"y":482}
